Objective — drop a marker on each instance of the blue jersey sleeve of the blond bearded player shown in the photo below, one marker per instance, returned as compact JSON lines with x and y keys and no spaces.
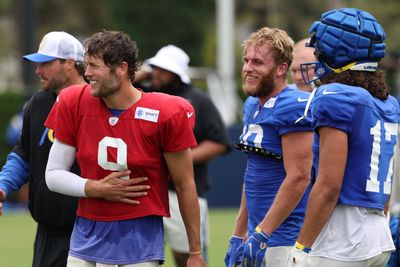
{"x":289,"y":108}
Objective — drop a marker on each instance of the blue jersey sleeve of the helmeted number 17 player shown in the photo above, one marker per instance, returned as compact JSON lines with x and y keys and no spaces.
{"x":332,"y":107}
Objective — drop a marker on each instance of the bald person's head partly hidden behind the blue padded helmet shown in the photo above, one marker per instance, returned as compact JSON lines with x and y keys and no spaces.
{"x":301,"y":54}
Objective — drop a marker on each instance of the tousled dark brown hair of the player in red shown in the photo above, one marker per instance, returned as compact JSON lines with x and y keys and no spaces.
{"x":114,"y":47}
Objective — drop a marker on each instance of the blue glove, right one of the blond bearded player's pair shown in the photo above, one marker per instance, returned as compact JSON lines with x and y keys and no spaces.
{"x":254,"y":249}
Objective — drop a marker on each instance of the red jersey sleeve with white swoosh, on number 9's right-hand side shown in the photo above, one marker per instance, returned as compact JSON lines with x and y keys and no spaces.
{"x":177,"y":129}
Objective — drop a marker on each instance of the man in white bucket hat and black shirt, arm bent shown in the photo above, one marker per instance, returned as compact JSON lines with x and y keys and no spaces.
{"x":169,"y":75}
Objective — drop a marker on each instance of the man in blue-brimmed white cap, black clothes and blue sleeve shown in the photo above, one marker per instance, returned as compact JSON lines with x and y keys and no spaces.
{"x":60,"y":64}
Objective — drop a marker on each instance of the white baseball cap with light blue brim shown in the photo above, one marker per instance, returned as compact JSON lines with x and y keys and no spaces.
{"x":57,"y":45}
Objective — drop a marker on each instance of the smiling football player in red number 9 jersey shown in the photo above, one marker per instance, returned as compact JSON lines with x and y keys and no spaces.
{"x":115,"y":131}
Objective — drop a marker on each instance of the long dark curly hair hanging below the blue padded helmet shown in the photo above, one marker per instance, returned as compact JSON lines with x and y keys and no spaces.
{"x":373,"y":82}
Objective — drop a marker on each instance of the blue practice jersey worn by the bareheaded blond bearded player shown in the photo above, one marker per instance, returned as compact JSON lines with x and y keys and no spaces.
{"x":263,"y":128}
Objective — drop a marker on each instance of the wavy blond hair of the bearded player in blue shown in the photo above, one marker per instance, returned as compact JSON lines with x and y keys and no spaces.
{"x":276,"y":39}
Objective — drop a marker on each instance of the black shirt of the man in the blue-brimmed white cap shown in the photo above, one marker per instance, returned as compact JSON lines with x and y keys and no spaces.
{"x":52,"y":211}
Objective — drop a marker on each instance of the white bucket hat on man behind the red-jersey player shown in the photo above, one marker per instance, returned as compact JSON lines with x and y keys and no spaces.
{"x":173,"y":59}
